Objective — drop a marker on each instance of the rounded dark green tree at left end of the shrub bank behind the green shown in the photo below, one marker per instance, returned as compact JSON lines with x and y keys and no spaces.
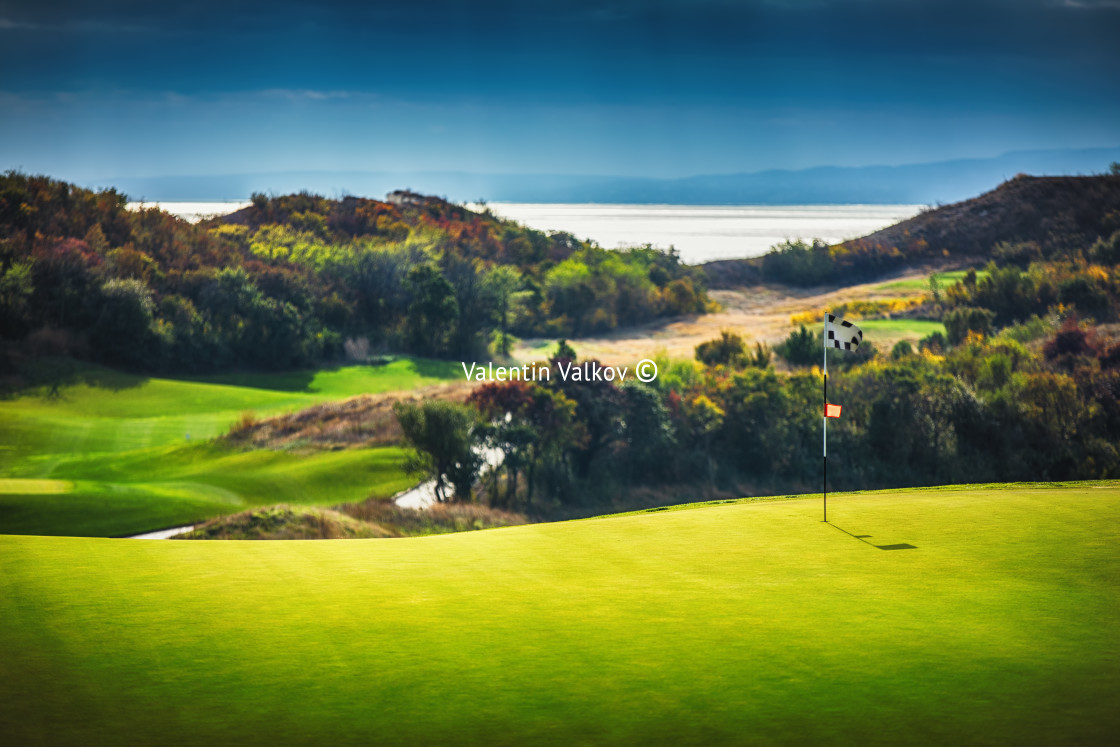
{"x":444,"y":436}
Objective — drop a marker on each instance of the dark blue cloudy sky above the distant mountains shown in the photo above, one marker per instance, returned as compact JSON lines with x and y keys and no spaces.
{"x":638,"y":88}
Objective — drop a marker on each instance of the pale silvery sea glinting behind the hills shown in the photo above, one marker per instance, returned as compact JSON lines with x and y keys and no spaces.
{"x":701,"y":234}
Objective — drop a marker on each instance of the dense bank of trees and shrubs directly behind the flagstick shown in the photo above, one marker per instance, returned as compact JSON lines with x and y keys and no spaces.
{"x":1033,"y":401}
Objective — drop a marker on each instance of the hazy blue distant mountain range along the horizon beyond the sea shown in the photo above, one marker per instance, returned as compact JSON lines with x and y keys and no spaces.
{"x":942,"y":182}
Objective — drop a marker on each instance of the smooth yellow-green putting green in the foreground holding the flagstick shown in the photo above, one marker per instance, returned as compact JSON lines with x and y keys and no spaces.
{"x":960,"y":615}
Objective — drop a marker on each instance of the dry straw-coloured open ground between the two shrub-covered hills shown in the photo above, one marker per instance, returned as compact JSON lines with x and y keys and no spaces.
{"x":758,"y":314}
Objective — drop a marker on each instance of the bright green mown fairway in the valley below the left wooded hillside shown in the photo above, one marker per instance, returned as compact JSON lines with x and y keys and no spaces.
{"x":119,"y":454}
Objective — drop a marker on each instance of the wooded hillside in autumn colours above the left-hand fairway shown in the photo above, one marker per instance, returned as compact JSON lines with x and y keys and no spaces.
{"x":296,"y":281}
